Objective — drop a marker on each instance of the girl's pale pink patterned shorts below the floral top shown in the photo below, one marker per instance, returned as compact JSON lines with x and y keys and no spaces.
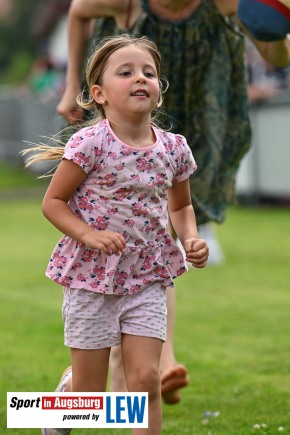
{"x":96,"y":321}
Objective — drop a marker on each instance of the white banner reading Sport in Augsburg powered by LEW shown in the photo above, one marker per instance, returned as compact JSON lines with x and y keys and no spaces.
{"x":77,"y":410}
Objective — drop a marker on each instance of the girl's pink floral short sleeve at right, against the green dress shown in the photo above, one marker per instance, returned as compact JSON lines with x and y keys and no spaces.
{"x":185,"y":163}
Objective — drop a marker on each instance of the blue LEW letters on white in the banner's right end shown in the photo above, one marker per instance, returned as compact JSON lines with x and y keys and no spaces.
{"x":127,"y":409}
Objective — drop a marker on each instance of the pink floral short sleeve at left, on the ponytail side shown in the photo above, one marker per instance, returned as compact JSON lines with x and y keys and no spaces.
{"x":85,"y":148}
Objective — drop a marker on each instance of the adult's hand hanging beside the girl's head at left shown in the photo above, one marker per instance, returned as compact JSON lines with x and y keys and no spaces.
{"x":68,"y":107}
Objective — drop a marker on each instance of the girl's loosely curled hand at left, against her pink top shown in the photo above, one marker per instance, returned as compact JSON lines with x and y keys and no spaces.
{"x":108,"y":242}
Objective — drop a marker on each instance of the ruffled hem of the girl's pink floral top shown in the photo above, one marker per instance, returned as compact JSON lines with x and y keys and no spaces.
{"x":72,"y":265}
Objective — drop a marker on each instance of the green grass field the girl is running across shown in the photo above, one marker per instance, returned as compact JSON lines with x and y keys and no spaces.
{"x":232,"y":324}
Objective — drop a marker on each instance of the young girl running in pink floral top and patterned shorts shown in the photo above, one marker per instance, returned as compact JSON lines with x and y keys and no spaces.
{"x":110,"y":196}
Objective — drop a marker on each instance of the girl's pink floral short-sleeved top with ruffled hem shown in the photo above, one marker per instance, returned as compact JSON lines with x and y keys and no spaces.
{"x":125,"y":191}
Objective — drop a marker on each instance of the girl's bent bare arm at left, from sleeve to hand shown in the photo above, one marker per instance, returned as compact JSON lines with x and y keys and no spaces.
{"x":64,"y":183}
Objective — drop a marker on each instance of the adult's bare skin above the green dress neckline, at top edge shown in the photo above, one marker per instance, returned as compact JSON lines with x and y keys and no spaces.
{"x":174,"y":9}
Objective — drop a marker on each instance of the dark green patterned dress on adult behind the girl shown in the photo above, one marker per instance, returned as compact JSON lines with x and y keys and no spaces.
{"x":203,"y":60}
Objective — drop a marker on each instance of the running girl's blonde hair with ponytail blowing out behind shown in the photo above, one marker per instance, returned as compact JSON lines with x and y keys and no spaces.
{"x":96,"y":66}
